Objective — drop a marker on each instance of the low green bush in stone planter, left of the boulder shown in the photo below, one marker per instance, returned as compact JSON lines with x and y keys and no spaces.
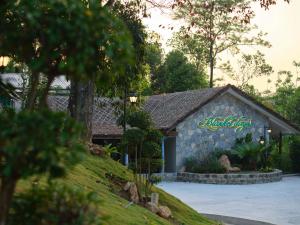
{"x":209,"y":164}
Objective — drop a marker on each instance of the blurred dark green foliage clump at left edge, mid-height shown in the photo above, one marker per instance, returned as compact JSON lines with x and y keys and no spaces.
{"x":37,"y":142}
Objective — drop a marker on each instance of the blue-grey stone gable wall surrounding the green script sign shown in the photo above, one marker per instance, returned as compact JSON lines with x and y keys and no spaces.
{"x":192,"y":140}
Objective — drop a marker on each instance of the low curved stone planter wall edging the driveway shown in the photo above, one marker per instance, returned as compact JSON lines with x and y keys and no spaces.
{"x":231,"y":178}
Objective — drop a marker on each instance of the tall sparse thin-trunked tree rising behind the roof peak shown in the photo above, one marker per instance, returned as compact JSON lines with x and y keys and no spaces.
{"x":217,"y":26}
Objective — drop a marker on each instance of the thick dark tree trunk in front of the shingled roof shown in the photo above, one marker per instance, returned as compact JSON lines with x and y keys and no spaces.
{"x":81,"y":104}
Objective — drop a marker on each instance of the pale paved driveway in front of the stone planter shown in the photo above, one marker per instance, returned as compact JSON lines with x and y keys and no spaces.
{"x":277,"y":203}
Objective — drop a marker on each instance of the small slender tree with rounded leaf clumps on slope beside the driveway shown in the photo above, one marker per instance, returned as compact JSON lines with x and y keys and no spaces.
{"x":143,"y":143}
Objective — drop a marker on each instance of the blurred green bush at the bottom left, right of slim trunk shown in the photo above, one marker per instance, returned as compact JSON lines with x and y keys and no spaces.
{"x":55,"y":204}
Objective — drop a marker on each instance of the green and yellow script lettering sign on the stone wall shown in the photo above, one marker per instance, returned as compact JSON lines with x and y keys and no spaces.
{"x":235,"y":122}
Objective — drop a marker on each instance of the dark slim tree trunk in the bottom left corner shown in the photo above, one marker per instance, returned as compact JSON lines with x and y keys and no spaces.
{"x":6,"y":193}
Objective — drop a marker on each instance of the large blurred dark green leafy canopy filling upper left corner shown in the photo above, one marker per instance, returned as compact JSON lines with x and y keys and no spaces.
{"x":51,"y":43}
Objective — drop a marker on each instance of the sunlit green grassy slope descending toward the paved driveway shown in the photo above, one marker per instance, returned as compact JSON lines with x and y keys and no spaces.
{"x":93,"y":169}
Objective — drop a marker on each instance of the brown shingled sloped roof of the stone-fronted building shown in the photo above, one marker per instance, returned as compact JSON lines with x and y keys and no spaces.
{"x":166,"y":110}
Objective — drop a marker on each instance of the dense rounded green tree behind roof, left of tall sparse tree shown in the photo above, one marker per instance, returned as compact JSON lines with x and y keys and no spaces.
{"x":177,"y":74}
